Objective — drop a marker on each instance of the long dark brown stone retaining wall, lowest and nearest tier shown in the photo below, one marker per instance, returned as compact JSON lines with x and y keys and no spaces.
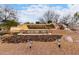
{"x":24,"y":38}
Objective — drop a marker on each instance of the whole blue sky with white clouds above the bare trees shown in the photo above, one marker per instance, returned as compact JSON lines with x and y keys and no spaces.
{"x":31,"y":12}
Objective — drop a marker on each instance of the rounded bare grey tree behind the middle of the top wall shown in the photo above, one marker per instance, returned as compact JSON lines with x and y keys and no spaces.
{"x":50,"y":16}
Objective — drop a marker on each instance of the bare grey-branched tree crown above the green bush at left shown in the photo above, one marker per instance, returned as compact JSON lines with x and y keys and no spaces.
{"x":7,"y":14}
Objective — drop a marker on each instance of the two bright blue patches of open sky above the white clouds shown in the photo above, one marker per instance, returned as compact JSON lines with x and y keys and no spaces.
{"x":20,"y":6}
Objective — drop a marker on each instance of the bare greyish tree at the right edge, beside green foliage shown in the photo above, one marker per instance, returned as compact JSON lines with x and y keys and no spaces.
{"x":70,"y":21}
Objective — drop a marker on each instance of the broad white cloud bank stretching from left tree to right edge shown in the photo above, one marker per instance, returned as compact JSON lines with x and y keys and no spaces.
{"x":33,"y":12}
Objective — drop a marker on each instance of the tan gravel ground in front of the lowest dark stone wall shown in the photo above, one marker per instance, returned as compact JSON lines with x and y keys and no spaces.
{"x":42,"y":48}
